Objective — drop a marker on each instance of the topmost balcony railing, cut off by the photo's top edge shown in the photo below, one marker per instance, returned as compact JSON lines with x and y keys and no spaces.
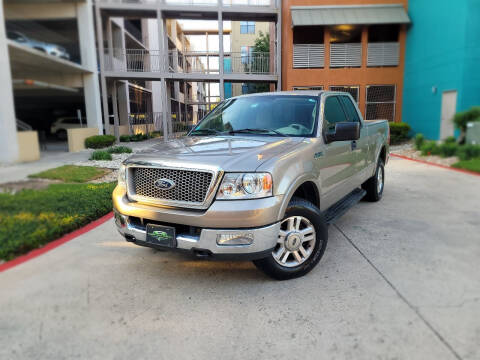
{"x":267,"y":3}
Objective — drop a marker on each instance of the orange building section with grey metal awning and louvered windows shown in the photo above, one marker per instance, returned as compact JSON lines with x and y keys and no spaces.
{"x":356,"y":46}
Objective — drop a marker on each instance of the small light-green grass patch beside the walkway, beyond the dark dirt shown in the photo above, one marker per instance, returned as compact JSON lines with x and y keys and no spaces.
{"x":71,"y":173}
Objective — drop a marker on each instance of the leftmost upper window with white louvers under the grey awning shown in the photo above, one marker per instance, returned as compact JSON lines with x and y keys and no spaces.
{"x":308,"y":47}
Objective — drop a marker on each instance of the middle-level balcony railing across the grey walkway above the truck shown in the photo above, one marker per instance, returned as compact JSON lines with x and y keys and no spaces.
{"x":141,"y":60}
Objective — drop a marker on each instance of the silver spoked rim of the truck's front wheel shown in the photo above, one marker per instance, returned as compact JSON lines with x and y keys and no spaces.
{"x":296,"y":241}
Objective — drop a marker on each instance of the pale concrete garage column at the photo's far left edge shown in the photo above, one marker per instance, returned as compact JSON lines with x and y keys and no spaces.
{"x":9,"y":151}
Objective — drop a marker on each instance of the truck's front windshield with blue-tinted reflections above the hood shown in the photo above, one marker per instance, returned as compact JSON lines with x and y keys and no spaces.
{"x":276,"y":115}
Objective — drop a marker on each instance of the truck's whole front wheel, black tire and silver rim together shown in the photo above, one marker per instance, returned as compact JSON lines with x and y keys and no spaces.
{"x":301,"y":242}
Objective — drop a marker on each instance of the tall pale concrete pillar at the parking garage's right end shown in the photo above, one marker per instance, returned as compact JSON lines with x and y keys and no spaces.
{"x":91,"y":87}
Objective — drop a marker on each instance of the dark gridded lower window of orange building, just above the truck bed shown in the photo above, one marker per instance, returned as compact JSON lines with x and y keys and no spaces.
{"x":380,"y":102}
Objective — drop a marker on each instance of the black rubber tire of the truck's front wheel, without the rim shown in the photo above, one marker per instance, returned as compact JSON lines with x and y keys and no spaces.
{"x":303,"y":208}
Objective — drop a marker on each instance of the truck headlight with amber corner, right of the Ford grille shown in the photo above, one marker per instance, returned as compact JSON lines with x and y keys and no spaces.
{"x":237,"y":186}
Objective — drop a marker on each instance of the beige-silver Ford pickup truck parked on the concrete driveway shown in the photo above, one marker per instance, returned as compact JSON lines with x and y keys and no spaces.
{"x":259,"y":178}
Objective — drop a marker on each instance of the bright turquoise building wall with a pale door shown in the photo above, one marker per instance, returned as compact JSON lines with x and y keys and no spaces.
{"x":441,"y":65}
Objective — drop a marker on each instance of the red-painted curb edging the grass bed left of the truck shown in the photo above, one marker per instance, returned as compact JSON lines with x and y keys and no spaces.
{"x":55,"y":243}
